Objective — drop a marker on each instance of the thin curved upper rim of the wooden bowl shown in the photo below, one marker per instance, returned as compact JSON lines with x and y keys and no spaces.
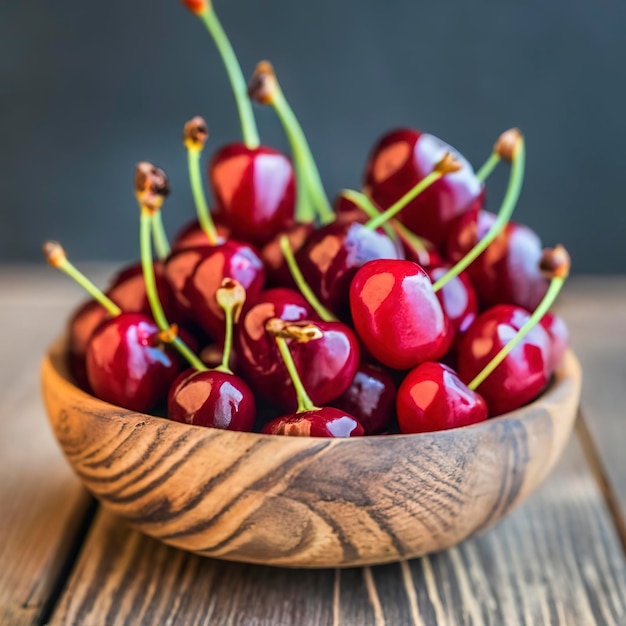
{"x":569,"y":371}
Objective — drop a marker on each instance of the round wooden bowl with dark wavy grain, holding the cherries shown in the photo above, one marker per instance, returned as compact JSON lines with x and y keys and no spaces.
{"x":307,"y":502}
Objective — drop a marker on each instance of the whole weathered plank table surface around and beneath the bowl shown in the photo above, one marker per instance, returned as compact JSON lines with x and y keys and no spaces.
{"x":558,"y":559}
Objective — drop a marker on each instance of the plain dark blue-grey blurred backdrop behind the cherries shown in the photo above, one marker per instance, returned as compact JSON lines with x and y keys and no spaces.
{"x":90,"y":88}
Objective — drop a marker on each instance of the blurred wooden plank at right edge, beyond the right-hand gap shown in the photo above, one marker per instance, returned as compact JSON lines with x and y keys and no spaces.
{"x":595,"y":310}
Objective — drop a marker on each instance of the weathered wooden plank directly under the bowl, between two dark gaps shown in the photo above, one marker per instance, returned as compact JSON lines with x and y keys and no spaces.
{"x":556,"y":560}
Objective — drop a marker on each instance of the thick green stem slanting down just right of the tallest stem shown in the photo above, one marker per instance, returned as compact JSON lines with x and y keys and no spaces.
{"x":310,"y":181}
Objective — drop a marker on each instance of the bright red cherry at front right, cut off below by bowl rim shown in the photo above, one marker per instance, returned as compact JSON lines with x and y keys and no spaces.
{"x":432,"y":397}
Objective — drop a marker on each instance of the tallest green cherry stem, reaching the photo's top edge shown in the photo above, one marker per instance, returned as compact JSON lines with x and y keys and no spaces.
{"x":235,"y":75}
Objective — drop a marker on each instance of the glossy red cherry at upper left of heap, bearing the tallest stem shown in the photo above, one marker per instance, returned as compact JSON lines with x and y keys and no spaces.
{"x":254,"y":191}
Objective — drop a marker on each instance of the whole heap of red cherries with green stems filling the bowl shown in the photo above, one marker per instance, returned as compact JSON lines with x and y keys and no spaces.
{"x":405,"y":307}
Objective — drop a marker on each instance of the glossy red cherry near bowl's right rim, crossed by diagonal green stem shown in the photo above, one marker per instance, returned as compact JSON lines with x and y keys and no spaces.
{"x":523,"y":374}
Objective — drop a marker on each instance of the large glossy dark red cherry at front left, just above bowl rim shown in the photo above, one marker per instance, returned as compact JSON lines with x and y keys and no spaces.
{"x":127,"y":366}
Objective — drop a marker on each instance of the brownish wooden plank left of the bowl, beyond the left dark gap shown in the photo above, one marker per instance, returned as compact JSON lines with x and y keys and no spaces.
{"x":43,"y":504}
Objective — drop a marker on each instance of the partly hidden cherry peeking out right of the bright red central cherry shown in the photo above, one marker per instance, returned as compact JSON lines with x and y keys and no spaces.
{"x":458,"y":300}
